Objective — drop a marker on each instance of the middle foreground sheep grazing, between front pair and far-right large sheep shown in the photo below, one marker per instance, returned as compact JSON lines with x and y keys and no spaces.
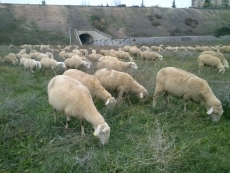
{"x":121,"y":82}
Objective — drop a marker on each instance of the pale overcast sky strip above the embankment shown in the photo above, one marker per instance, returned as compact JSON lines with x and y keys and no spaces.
{"x":148,"y":3}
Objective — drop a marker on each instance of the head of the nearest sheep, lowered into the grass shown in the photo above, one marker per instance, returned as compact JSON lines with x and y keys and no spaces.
{"x":102,"y":132}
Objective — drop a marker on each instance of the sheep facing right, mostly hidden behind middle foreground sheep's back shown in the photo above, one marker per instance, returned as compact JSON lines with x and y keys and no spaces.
{"x":116,"y":65}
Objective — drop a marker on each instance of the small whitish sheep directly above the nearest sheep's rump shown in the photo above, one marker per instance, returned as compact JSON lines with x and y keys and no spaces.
{"x":51,"y":64}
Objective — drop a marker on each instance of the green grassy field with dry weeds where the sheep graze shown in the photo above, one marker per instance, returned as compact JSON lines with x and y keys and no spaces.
{"x":142,"y":139}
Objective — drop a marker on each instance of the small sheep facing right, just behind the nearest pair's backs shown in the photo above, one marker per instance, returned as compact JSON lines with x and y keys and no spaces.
{"x":76,"y":63}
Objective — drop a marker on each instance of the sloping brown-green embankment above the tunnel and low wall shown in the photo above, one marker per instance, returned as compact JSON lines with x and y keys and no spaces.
{"x":17,"y":21}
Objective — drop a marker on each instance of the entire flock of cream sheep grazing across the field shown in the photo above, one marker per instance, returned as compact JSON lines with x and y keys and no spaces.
{"x":73,"y":91}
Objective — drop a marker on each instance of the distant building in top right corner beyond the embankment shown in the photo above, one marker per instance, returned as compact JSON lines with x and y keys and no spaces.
{"x":214,"y":3}
